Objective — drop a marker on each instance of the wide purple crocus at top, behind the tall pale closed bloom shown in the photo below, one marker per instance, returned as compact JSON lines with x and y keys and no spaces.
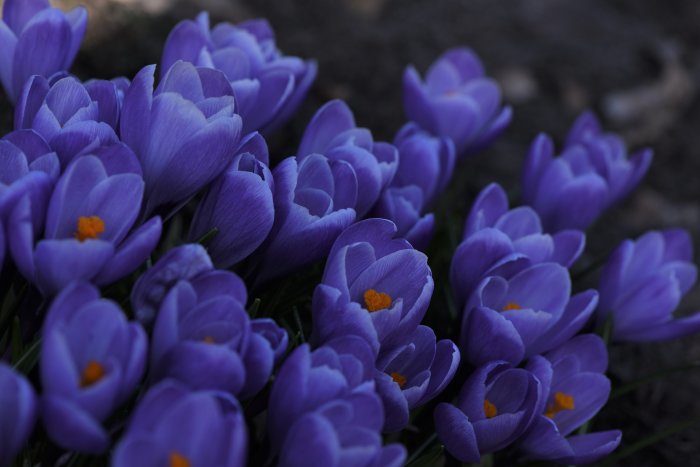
{"x":268,"y":85}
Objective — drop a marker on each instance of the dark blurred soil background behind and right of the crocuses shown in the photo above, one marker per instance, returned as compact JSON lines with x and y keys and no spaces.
{"x":635,"y":62}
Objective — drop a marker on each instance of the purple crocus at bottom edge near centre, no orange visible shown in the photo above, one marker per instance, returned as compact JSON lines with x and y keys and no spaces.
{"x":323,"y":407}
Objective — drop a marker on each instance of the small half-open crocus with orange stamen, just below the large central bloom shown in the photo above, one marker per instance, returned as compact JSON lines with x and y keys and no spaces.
{"x":412,"y":373}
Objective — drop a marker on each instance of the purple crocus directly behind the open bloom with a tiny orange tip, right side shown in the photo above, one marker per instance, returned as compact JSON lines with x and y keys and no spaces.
{"x":502,"y":241}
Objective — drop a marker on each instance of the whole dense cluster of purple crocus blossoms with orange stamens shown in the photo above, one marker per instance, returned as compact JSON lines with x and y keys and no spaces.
{"x":142,"y":225}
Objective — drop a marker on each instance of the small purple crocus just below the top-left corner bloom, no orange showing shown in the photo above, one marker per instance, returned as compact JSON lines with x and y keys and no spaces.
{"x":74,"y":118}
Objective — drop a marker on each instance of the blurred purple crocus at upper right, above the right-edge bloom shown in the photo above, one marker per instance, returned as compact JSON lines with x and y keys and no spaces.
{"x":592,"y":173}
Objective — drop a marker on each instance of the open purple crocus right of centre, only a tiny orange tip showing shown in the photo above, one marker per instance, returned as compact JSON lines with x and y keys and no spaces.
{"x":528,"y":314}
